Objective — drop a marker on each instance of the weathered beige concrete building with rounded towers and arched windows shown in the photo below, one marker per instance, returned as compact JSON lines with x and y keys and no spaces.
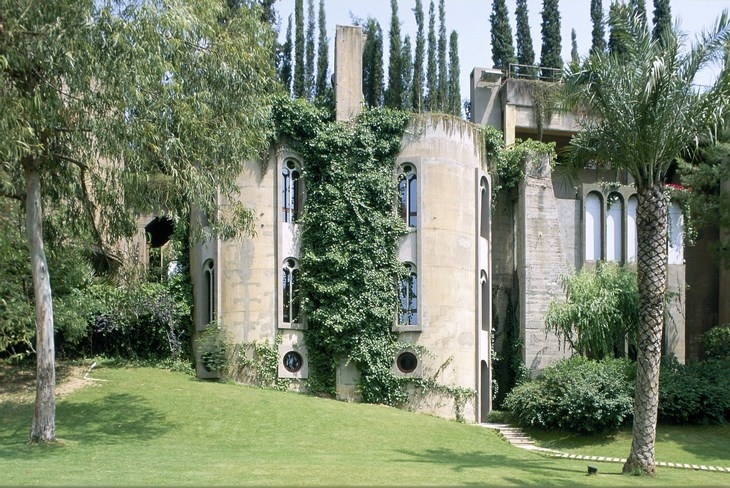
{"x":470,"y":263}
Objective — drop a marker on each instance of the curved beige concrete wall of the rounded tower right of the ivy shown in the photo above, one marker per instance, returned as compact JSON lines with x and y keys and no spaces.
{"x":446,"y":152}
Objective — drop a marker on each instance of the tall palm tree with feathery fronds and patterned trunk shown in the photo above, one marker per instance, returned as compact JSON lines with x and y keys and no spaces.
{"x":641,"y":112}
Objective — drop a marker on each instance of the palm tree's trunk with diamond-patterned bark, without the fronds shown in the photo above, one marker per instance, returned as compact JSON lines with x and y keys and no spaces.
{"x":651,"y":221}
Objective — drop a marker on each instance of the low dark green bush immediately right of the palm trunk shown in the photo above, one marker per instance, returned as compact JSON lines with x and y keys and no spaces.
{"x":694,"y":393}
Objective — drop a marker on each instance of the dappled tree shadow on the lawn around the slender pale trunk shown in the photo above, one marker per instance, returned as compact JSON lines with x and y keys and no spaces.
{"x":112,"y":419}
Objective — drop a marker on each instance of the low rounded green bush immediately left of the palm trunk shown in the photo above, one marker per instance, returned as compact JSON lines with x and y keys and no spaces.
{"x":576,"y":394}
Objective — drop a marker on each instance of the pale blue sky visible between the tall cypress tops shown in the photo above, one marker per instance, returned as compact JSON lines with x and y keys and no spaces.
{"x":470,"y":19}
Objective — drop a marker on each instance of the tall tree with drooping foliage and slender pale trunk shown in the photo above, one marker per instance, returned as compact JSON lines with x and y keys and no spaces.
{"x":110,"y":111}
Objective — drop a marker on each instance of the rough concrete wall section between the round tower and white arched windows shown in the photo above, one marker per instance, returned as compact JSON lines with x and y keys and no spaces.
{"x":541,"y":259}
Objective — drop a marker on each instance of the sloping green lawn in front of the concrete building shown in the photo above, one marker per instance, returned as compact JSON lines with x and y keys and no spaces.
{"x":148,"y":426}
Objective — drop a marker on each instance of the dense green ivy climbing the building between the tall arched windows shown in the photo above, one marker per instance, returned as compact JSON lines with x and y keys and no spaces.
{"x":349,"y":237}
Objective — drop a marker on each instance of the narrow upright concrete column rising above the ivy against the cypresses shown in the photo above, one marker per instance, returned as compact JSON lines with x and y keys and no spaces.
{"x":349,"y":44}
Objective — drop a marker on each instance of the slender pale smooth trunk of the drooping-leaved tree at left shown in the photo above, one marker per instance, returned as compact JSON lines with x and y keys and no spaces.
{"x":44,"y":417}
